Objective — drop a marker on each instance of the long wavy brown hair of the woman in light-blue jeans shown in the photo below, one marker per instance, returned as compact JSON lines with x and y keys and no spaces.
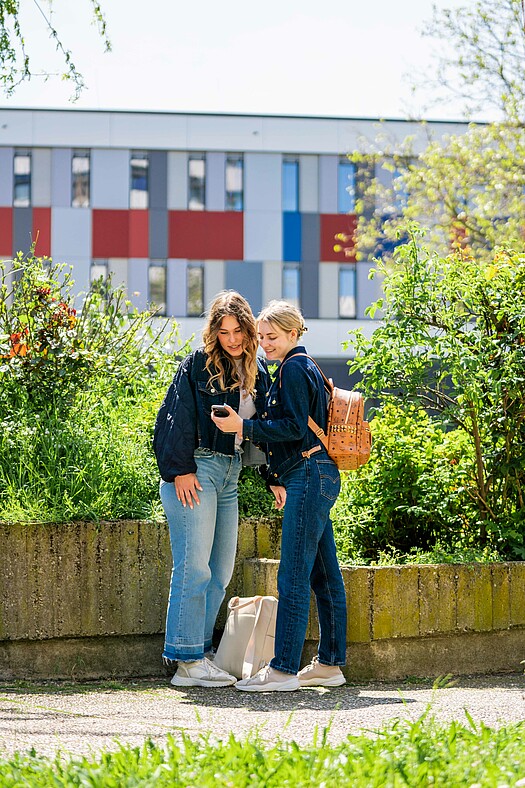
{"x":229,"y":303}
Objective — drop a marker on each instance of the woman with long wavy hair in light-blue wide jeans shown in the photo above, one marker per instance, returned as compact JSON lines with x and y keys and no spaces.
{"x":199,"y":468}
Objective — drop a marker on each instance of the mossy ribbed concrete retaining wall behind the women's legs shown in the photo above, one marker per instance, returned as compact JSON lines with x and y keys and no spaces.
{"x":88,"y":600}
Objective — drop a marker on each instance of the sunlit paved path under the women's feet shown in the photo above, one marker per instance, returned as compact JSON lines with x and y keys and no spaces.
{"x":83,"y":718}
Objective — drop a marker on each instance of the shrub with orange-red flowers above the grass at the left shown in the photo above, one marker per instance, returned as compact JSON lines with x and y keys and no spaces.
{"x":52,"y":347}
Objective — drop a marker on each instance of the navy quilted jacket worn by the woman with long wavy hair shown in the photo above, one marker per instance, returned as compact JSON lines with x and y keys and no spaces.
{"x":183,"y":422}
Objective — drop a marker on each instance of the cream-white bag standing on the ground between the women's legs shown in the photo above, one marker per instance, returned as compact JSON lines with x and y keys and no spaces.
{"x":248,"y":640}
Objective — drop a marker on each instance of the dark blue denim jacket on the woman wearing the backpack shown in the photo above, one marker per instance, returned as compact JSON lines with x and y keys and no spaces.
{"x":297,"y":392}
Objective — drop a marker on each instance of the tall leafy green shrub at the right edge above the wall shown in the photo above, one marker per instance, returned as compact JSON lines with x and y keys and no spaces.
{"x":453,"y":340}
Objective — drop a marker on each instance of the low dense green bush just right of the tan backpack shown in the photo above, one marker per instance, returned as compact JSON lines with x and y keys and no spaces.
{"x":411,"y":494}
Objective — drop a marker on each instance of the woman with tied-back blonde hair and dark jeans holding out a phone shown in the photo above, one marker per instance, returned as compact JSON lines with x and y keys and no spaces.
{"x":305,"y":481}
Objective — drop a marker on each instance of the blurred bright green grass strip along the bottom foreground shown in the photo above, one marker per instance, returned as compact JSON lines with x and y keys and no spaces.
{"x":421,"y":753}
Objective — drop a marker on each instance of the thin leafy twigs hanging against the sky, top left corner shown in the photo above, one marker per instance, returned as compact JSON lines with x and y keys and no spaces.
{"x":15,"y":60}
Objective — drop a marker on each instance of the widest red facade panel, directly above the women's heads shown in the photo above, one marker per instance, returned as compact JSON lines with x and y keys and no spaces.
{"x":206,"y":235}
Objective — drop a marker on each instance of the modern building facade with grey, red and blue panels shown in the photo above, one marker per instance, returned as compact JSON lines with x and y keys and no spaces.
{"x":179,"y":206}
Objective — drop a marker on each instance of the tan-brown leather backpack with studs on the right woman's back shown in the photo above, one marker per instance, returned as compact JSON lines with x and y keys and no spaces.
{"x":348,"y":439}
